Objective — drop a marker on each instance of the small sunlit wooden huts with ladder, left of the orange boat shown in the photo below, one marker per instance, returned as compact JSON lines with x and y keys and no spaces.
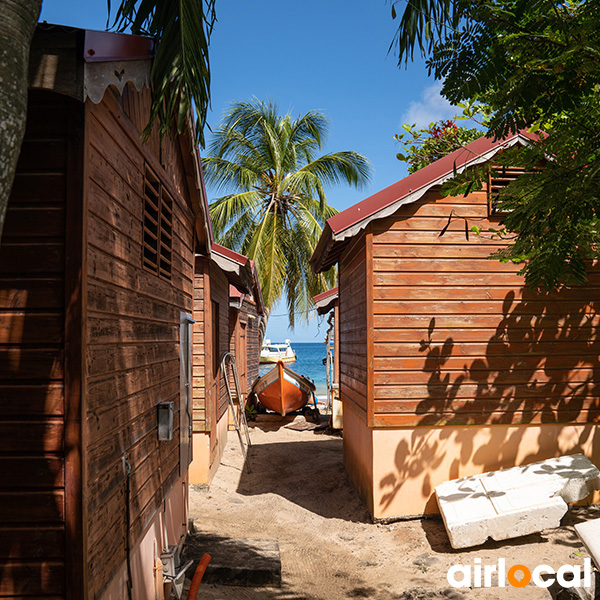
{"x":227,"y":309}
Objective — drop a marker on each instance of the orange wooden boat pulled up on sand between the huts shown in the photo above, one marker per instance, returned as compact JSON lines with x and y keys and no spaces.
{"x":283,"y":390}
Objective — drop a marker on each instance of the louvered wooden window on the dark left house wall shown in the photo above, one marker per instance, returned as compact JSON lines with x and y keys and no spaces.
{"x":158,"y":227}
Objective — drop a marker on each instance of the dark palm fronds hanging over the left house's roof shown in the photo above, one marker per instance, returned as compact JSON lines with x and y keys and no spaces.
{"x":180,"y":71}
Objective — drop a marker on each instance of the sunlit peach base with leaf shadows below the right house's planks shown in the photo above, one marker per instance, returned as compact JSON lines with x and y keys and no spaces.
{"x":410,"y":462}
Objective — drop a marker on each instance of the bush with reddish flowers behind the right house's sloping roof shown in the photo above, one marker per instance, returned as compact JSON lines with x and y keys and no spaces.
{"x":424,"y":146}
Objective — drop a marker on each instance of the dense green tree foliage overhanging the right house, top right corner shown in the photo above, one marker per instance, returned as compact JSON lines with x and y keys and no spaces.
{"x":536,"y":65}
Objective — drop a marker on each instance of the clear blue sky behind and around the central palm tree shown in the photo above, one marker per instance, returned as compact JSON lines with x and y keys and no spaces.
{"x":330,"y":55}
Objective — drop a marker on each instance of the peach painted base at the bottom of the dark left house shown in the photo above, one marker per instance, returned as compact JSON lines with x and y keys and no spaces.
{"x":145,"y":554}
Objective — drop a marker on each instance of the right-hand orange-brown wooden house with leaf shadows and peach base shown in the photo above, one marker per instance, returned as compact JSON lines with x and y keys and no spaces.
{"x":448,"y":365}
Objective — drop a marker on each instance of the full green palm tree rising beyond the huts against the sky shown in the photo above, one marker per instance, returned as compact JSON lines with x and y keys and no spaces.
{"x":278,"y":206}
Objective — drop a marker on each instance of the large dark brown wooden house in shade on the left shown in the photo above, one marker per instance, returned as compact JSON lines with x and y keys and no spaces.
{"x":96,"y":302}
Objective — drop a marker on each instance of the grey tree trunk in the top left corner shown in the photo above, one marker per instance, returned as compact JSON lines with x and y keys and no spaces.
{"x":19,"y":18}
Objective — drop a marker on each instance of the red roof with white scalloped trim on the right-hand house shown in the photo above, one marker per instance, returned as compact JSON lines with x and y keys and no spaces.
{"x":346,"y":224}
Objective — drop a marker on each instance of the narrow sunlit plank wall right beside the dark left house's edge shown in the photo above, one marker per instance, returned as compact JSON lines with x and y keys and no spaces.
{"x":201,"y":338}
